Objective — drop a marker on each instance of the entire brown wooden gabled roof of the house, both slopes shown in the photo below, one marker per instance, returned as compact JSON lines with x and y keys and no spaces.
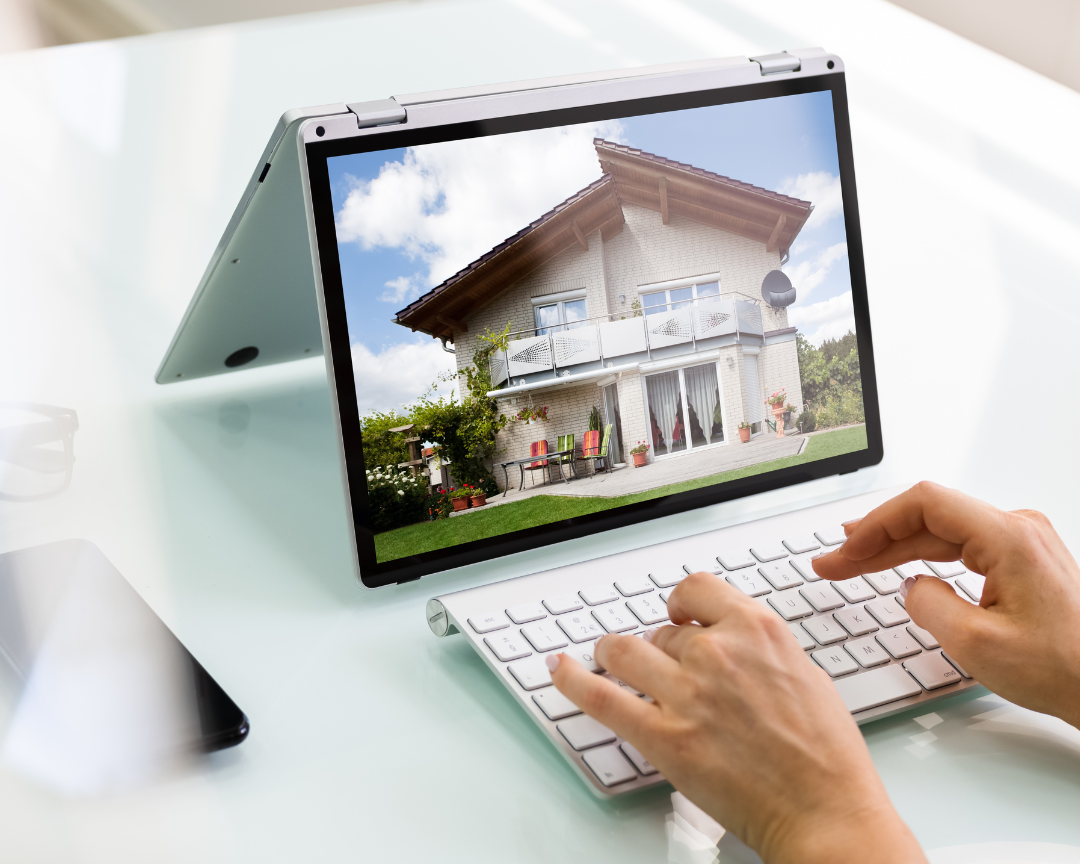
{"x":630,"y":177}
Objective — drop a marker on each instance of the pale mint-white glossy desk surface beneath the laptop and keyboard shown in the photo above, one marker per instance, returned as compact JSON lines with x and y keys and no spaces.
{"x":372,"y":740}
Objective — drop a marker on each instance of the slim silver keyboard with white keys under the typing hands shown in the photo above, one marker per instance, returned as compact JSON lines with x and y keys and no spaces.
{"x":857,"y":631}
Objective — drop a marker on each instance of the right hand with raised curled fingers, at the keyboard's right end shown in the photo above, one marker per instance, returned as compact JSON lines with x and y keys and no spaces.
{"x":1021,"y":640}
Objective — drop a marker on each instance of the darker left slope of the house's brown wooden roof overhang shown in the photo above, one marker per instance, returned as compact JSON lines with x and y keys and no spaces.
{"x":444,"y":309}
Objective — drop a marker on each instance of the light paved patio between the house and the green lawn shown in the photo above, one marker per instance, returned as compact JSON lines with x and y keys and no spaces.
{"x":663,"y":472}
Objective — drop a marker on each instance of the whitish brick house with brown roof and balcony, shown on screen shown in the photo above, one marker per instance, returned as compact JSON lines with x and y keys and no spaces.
{"x":641,"y":294}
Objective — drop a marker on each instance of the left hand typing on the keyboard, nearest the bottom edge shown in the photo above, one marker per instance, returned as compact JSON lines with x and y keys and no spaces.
{"x":747,"y":727}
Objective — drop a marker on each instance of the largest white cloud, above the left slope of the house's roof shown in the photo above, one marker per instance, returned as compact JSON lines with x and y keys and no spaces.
{"x":447,"y":205}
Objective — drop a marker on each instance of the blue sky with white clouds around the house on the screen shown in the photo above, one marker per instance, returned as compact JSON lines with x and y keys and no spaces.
{"x":410,"y":219}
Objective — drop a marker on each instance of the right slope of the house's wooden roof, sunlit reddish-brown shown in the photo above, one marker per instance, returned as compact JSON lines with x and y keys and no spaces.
{"x":676,"y":188}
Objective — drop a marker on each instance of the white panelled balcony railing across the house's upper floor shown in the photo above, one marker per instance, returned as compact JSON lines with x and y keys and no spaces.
{"x":607,"y":337}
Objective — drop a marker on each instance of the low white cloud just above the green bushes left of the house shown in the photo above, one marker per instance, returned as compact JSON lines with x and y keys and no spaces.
{"x":399,"y":374}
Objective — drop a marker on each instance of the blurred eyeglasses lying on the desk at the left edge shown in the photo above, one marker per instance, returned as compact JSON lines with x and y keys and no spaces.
{"x":37,"y":452}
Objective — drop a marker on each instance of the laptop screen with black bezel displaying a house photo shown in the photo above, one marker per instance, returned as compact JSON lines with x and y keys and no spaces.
{"x":557,"y":325}
